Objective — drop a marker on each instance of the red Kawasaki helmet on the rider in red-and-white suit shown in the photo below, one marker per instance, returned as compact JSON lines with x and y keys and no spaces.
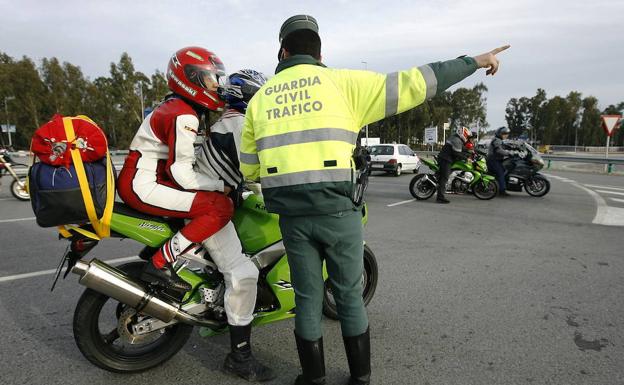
{"x":196,"y":74}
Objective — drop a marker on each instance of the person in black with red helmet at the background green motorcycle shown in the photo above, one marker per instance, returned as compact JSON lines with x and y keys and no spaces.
{"x":453,"y":150}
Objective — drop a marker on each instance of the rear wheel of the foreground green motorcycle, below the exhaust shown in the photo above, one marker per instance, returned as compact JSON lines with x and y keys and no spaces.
{"x":106,"y":349}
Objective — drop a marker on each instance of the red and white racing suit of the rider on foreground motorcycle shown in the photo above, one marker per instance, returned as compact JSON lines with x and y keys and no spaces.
{"x":158,"y":178}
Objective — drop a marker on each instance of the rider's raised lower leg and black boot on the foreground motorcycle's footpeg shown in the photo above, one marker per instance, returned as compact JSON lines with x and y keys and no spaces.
{"x":160,"y":270}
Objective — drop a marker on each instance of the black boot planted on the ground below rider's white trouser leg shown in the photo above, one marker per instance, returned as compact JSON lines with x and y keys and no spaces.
{"x":240,"y":362}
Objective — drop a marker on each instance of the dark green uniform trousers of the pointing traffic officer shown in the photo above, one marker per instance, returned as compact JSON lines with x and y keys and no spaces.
{"x":337,"y":239}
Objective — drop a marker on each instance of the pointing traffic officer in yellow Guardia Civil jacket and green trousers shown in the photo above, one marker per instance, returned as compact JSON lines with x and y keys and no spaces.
{"x":299,"y":134}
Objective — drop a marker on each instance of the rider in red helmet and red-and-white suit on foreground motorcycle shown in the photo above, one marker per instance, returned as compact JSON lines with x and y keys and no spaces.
{"x":158,"y":178}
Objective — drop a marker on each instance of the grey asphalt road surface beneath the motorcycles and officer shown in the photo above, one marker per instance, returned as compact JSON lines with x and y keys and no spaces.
{"x":516,"y":290}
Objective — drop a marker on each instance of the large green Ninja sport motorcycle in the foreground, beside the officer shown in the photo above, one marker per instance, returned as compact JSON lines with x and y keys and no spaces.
{"x":123,"y":324}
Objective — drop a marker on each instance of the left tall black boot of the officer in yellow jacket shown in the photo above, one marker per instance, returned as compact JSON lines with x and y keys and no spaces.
{"x":312,"y":359}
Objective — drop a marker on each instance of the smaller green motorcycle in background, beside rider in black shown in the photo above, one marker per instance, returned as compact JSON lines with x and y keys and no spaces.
{"x":466,"y":177}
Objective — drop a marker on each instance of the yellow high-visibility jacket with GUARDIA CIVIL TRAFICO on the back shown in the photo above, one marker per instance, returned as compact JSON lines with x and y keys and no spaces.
{"x":301,"y":127}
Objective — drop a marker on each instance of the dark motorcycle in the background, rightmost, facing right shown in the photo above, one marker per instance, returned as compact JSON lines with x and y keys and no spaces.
{"x":522,"y":169}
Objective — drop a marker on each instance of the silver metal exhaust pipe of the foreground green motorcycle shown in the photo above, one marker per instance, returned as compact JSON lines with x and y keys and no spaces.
{"x":114,"y":283}
